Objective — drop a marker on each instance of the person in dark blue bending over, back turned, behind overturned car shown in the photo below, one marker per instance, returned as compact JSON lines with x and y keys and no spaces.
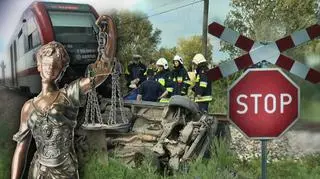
{"x":150,"y":90}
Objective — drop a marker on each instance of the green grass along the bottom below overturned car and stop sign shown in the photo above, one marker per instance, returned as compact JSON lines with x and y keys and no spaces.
{"x":222,"y":165}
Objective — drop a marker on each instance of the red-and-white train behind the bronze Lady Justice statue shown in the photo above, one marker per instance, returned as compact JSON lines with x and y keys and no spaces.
{"x":73,"y":25}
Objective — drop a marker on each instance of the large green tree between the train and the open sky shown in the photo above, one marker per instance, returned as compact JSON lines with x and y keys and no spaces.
{"x":136,"y":35}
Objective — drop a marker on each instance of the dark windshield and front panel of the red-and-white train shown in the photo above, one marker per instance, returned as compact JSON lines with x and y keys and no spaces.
{"x":77,"y":31}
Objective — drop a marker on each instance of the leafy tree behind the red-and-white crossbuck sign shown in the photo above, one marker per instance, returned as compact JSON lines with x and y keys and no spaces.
{"x":266,"y":20}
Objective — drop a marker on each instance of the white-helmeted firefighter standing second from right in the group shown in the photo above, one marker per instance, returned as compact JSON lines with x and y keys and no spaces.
{"x":180,"y":77}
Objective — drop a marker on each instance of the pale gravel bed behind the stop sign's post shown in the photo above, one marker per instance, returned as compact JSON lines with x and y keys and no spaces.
{"x":293,"y":144}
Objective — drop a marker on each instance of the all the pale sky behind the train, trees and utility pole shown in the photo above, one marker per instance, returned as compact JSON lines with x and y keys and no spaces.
{"x":183,"y":22}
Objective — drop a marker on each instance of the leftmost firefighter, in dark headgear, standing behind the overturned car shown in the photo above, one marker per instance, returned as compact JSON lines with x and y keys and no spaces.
{"x":136,"y":72}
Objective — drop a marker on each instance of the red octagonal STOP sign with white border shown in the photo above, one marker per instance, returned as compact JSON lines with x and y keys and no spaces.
{"x":263,"y":103}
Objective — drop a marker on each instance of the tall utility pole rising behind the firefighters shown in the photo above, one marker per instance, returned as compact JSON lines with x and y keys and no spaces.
{"x":205,"y":28}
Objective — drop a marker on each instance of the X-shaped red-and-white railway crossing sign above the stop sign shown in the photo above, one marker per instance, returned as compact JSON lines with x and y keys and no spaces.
{"x":258,"y":52}
